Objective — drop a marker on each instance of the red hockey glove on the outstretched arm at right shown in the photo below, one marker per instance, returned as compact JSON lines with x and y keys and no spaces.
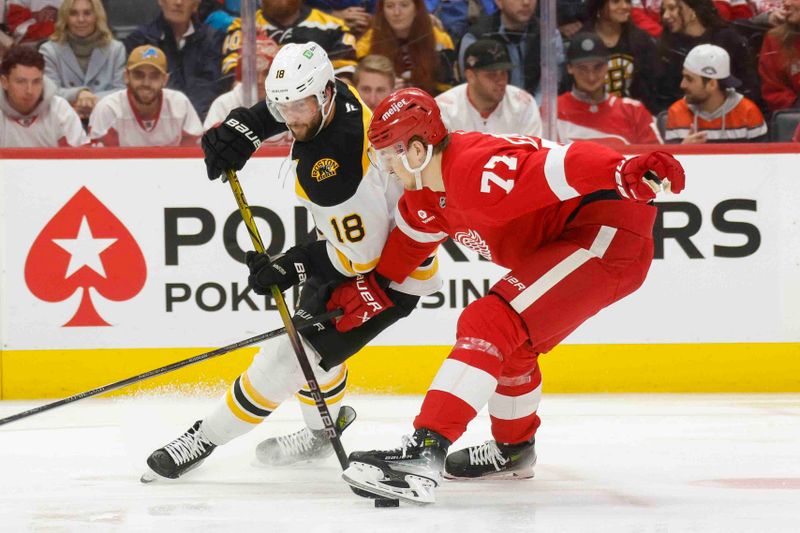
{"x":640,"y":178}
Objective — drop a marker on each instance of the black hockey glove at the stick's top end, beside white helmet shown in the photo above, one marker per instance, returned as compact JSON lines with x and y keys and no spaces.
{"x":230,"y":145}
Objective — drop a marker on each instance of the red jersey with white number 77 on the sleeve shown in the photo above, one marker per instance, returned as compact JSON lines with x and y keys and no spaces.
{"x":503,"y":194}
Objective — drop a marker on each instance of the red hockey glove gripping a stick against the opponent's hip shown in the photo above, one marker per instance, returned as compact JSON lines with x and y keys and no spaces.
{"x":360,"y":298}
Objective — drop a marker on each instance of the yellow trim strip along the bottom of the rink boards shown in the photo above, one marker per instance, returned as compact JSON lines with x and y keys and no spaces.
{"x":749,"y":367}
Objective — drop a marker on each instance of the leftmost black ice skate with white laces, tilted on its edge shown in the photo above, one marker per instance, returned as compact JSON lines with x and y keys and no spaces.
{"x":179,"y":456}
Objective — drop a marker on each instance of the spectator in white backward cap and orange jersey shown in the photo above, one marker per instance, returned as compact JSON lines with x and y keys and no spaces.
{"x":712,"y":110}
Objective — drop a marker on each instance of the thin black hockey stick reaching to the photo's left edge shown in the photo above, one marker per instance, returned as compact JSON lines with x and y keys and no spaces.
{"x":169,"y":368}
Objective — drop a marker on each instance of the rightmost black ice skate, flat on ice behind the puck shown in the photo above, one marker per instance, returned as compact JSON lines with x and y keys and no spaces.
{"x":492,"y":460}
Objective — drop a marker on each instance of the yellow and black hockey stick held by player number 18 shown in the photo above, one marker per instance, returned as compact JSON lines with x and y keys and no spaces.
{"x":294,"y":338}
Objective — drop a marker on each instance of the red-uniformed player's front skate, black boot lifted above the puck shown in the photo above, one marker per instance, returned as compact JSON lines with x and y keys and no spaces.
{"x":409,"y":473}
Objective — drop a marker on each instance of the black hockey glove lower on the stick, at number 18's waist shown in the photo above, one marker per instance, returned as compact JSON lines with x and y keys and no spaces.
{"x":285,"y":270}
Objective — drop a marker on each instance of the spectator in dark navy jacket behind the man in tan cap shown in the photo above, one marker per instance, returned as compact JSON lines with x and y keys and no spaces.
{"x":193,"y":51}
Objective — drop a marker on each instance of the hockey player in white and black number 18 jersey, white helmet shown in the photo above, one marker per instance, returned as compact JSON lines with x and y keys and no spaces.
{"x":353,"y":207}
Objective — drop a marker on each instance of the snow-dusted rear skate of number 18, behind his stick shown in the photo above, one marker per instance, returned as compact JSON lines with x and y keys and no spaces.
{"x":302,"y":446}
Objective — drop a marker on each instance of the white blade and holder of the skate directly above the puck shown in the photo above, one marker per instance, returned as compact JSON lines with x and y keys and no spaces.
{"x":420,"y":490}
